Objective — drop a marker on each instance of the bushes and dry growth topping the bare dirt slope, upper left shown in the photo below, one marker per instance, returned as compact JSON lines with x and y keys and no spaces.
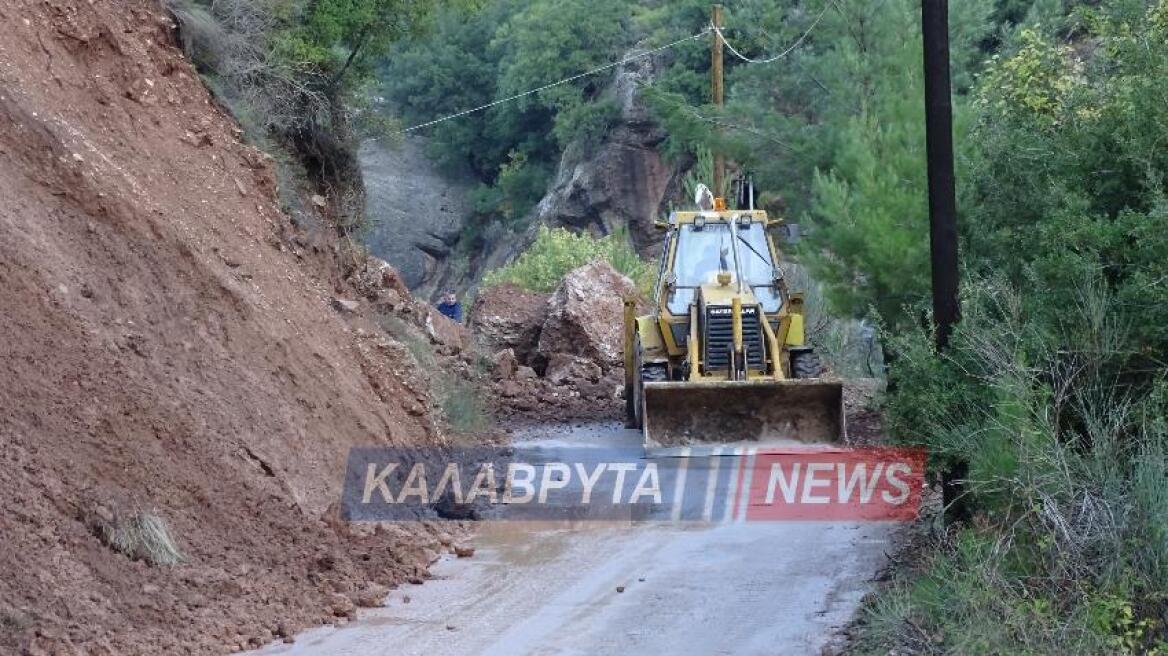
{"x":297,"y":75}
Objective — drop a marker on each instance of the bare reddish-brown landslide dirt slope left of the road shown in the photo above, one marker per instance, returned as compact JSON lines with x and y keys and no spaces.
{"x":165,"y":345}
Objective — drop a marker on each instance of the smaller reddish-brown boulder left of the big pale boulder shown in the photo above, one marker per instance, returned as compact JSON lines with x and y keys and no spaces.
{"x":509,"y":318}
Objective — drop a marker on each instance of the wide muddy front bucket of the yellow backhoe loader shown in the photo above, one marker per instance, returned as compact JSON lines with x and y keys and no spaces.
{"x":743,"y":411}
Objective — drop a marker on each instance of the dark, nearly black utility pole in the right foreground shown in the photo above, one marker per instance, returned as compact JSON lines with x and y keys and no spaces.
{"x":940,"y":152}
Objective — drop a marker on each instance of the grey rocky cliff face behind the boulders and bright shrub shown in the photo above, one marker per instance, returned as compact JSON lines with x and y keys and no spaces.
{"x":623,"y":185}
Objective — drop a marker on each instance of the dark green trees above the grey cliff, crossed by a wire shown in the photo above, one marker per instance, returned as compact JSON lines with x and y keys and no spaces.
{"x":475,"y":57}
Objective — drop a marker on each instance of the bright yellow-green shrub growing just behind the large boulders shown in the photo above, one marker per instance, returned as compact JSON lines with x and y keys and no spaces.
{"x":558,"y":252}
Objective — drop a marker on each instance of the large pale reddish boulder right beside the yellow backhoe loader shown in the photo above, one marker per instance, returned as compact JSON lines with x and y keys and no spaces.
{"x":586,"y":317}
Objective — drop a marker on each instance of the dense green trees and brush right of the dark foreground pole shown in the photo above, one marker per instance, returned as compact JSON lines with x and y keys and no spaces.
{"x":1054,"y":392}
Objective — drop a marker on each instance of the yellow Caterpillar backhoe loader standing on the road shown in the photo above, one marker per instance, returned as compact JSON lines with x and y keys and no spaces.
{"x":722,"y":358}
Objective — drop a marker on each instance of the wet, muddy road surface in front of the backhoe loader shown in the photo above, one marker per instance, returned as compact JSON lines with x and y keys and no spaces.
{"x":652,"y":588}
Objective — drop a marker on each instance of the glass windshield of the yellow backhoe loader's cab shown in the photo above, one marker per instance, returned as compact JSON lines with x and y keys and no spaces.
{"x":704,"y":253}
